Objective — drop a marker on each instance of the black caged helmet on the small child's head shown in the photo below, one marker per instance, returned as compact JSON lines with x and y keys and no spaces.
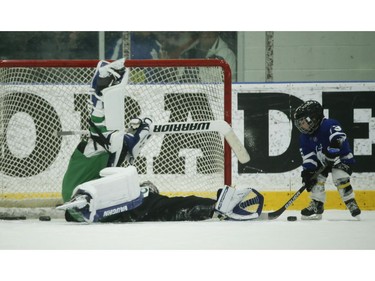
{"x":308,"y":116}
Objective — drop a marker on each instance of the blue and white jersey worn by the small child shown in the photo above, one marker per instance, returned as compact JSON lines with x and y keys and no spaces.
{"x":314,"y":147}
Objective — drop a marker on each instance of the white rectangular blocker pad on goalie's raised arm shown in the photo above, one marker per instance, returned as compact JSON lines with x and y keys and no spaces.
{"x":113,"y":99}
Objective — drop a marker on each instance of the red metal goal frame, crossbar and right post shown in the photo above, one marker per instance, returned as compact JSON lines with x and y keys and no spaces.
{"x":144,"y":63}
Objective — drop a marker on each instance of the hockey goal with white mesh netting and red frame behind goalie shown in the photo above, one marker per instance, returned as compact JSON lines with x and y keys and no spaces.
{"x":40,"y":98}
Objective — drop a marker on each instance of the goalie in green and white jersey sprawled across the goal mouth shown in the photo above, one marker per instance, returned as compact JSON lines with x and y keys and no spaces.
{"x":96,"y":189}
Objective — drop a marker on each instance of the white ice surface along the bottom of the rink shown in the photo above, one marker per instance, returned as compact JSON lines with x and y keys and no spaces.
{"x":337,"y":231}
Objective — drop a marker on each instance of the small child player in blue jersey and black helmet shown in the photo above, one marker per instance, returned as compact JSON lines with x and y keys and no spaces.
{"x":324,"y":143}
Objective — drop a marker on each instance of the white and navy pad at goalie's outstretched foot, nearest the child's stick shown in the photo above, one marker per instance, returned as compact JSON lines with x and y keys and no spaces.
{"x":233,"y":204}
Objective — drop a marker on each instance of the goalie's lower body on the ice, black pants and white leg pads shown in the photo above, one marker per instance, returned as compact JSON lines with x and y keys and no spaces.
{"x":118,"y":197}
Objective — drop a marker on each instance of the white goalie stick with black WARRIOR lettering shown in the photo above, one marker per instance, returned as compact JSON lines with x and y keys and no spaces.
{"x":193,"y":127}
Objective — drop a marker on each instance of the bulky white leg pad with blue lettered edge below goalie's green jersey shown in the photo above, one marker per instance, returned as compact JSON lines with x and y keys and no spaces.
{"x":117,"y":191}
